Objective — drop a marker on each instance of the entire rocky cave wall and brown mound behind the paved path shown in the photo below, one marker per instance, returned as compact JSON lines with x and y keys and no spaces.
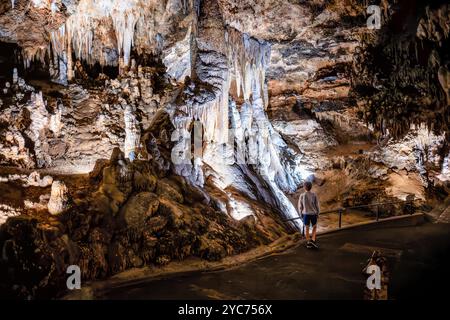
{"x":134,"y":133}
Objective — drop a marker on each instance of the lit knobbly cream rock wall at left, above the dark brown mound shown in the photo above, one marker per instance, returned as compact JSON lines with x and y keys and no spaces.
{"x":70,"y":138}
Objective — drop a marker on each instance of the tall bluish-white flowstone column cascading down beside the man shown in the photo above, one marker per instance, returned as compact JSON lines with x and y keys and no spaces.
{"x":259,"y":148}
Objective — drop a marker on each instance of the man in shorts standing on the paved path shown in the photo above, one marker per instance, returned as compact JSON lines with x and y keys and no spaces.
{"x":308,"y":207}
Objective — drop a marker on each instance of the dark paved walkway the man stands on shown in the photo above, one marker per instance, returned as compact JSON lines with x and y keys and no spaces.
{"x":418,"y":258}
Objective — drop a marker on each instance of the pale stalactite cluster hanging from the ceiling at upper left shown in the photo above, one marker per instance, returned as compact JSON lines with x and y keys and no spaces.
{"x":126,"y":17}
